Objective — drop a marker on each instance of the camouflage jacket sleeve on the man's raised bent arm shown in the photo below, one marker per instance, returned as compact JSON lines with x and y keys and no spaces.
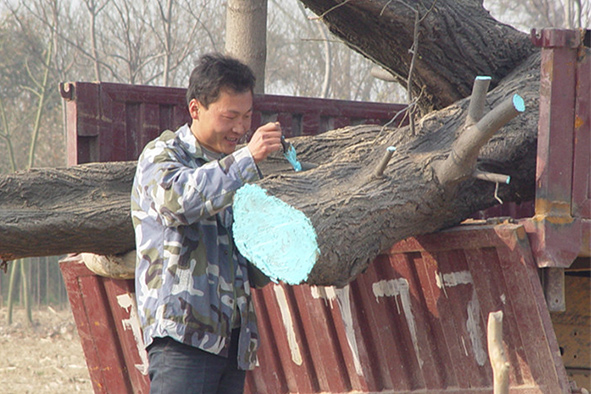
{"x":181,"y":195}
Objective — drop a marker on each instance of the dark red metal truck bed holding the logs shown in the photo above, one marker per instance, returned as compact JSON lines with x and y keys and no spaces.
{"x":416,"y":320}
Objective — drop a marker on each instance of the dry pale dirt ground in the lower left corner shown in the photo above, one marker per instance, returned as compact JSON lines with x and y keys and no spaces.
{"x":44,"y":358}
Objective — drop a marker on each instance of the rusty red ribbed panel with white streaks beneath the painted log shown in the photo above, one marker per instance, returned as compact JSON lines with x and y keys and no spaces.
{"x":414,"y":321}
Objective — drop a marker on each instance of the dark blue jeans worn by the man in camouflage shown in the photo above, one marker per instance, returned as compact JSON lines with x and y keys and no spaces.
{"x":178,"y":368}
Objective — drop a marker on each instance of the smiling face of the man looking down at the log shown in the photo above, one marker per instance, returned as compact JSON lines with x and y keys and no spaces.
{"x":219,"y":127}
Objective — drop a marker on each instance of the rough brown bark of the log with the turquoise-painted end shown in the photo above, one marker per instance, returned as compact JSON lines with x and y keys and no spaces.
{"x":357,"y":216}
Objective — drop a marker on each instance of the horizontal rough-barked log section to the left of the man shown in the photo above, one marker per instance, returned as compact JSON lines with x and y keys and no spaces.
{"x":45,"y":212}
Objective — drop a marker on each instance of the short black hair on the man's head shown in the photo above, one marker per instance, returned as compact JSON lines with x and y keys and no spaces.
{"x":215,"y":72}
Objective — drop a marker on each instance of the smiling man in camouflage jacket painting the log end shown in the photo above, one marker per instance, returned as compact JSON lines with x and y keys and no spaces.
{"x":193,"y":287}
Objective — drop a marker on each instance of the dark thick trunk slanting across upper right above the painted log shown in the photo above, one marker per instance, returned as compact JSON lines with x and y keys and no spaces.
{"x":458,"y":40}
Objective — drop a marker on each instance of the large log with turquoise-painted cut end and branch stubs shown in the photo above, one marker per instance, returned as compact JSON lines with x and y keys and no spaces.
{"x":355,"y":215}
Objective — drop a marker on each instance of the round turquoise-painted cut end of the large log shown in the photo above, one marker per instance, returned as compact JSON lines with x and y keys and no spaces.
{"x":277,"y":238}
